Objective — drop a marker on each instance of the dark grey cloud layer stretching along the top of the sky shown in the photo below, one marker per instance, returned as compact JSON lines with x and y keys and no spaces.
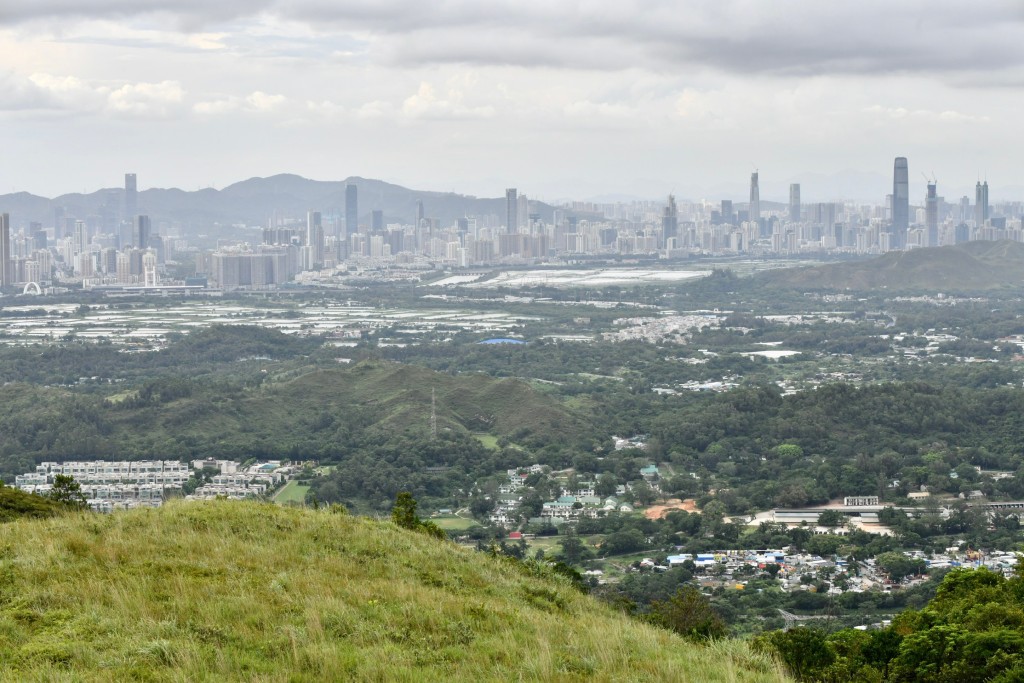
{"x":798,"y":38}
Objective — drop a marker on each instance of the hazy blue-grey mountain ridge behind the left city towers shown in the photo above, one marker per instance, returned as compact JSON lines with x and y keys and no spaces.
{"x":255,"y":201}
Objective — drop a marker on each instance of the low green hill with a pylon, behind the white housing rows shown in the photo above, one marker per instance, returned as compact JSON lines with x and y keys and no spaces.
{"x":324,"y":414}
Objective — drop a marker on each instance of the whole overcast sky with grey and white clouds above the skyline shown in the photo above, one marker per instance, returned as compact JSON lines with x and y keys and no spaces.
{"x":560,"y":99}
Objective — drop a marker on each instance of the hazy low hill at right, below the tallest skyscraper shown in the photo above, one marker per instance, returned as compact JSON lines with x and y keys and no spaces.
{"x":971,"y":267}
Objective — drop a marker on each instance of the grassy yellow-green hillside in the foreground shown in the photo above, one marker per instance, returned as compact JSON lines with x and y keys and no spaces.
{"x":231,"y":591}
